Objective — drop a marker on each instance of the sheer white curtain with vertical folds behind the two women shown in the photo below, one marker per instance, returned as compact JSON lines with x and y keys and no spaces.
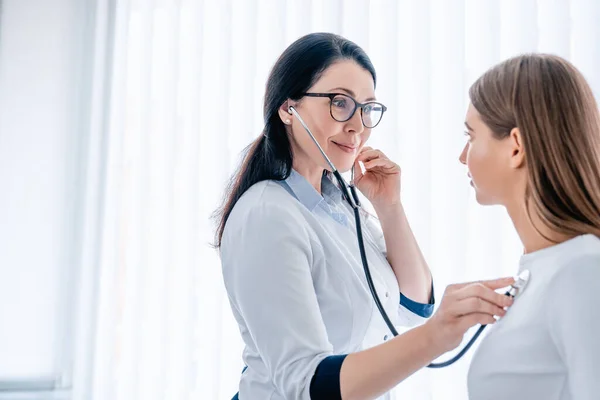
{"x":183,"y":87}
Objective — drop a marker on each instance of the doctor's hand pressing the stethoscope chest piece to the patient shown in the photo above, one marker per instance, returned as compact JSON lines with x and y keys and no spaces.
{"x":463,"y":306}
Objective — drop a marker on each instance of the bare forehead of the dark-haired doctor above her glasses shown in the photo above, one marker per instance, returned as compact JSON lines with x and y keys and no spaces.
{"x":348,"y":77}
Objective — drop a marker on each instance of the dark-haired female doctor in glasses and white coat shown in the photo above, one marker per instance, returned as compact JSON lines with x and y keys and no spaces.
{"x":290,"y":259}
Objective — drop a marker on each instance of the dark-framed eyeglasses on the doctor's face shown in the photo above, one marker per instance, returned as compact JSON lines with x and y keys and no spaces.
{"x":342,"y":107}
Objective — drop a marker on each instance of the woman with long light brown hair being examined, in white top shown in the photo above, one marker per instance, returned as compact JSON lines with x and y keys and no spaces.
{"x":534,"y":147}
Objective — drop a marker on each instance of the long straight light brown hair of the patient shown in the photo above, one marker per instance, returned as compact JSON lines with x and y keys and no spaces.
{"x":553,"y":106}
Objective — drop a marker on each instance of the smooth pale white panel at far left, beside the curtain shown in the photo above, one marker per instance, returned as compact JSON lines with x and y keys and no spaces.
{"x":40,"y":64}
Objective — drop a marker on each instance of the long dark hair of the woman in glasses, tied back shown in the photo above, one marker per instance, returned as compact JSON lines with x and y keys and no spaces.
{"x":270,"y":156}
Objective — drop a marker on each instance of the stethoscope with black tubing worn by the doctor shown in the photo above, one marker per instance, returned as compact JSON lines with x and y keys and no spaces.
{"x":349,"y":192}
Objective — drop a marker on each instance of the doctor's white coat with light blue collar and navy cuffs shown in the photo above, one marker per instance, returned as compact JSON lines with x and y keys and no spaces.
{"x":297,"y":288}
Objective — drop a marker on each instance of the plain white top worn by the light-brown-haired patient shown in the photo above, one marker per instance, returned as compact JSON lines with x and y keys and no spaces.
{"x":548,"y":344}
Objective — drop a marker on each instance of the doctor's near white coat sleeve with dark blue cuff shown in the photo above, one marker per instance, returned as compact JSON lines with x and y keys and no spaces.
{"x":267,"y":254}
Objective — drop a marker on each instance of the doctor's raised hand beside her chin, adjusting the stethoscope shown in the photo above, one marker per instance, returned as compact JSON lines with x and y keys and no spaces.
{"x":381,"y":181}
